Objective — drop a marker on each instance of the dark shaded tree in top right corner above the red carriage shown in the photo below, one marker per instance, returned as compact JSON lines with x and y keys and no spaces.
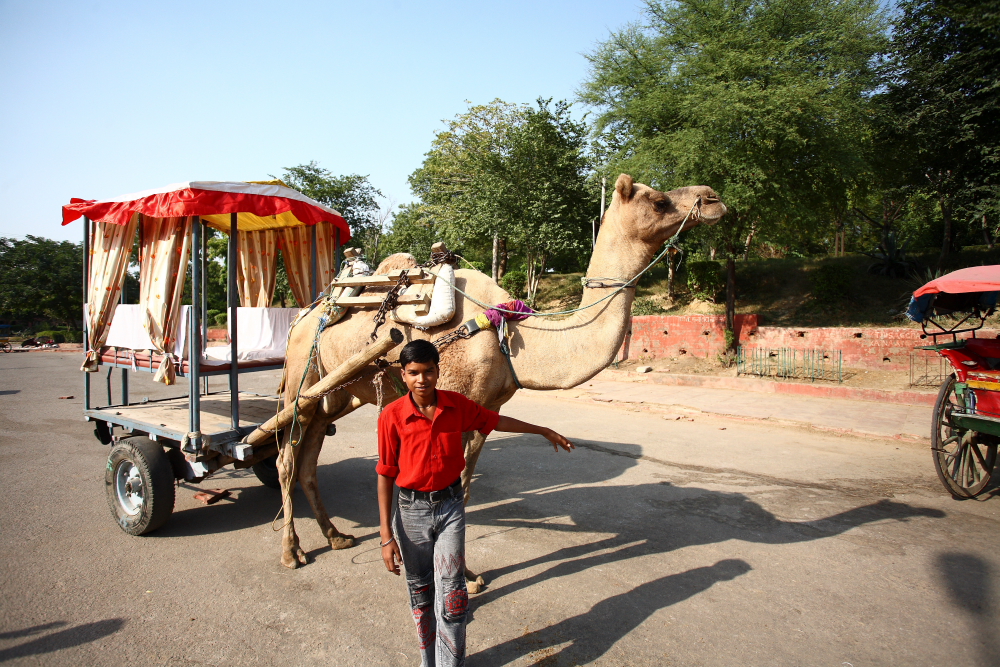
{"x":942,"y":94}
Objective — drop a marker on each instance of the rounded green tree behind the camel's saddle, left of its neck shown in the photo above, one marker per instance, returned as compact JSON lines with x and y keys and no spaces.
{"x":503,"y":176}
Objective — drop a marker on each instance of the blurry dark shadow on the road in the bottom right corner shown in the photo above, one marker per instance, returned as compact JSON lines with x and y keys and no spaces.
{"x":968,"y":580}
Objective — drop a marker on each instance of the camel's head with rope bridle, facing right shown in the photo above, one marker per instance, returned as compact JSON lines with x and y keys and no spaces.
{"x":655,"y":216}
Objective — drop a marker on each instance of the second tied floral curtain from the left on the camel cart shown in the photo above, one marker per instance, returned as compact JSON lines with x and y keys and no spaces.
{"x":165,"y":246}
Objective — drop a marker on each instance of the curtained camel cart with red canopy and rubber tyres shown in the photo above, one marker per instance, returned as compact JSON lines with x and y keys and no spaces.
{"x":192,"y":435}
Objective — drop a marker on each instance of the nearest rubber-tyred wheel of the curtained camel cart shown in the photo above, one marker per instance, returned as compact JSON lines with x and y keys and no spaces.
{"x":139,"y":483}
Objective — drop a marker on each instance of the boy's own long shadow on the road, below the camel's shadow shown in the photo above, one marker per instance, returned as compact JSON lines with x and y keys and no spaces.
{"x":593,"y":632}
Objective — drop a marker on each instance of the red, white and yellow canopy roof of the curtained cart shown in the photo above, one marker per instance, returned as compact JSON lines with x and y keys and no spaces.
{"x":259,"y":205}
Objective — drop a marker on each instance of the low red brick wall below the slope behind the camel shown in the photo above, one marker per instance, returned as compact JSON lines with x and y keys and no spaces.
{"x":662,"y":336}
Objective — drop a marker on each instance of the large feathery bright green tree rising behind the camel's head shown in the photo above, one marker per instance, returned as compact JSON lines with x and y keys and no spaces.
{"x":764,"y":100}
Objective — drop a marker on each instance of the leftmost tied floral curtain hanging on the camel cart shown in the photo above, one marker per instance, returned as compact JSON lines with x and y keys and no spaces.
{"x":110,"y":247}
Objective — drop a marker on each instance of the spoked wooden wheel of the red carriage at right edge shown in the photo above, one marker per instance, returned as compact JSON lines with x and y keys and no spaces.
{"x":963,"y":458}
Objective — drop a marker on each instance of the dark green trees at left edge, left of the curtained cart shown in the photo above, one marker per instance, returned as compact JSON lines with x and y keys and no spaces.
{"x":41,"y":279}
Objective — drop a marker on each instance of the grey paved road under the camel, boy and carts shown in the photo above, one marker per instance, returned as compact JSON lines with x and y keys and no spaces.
{"x":656,"y":543}
